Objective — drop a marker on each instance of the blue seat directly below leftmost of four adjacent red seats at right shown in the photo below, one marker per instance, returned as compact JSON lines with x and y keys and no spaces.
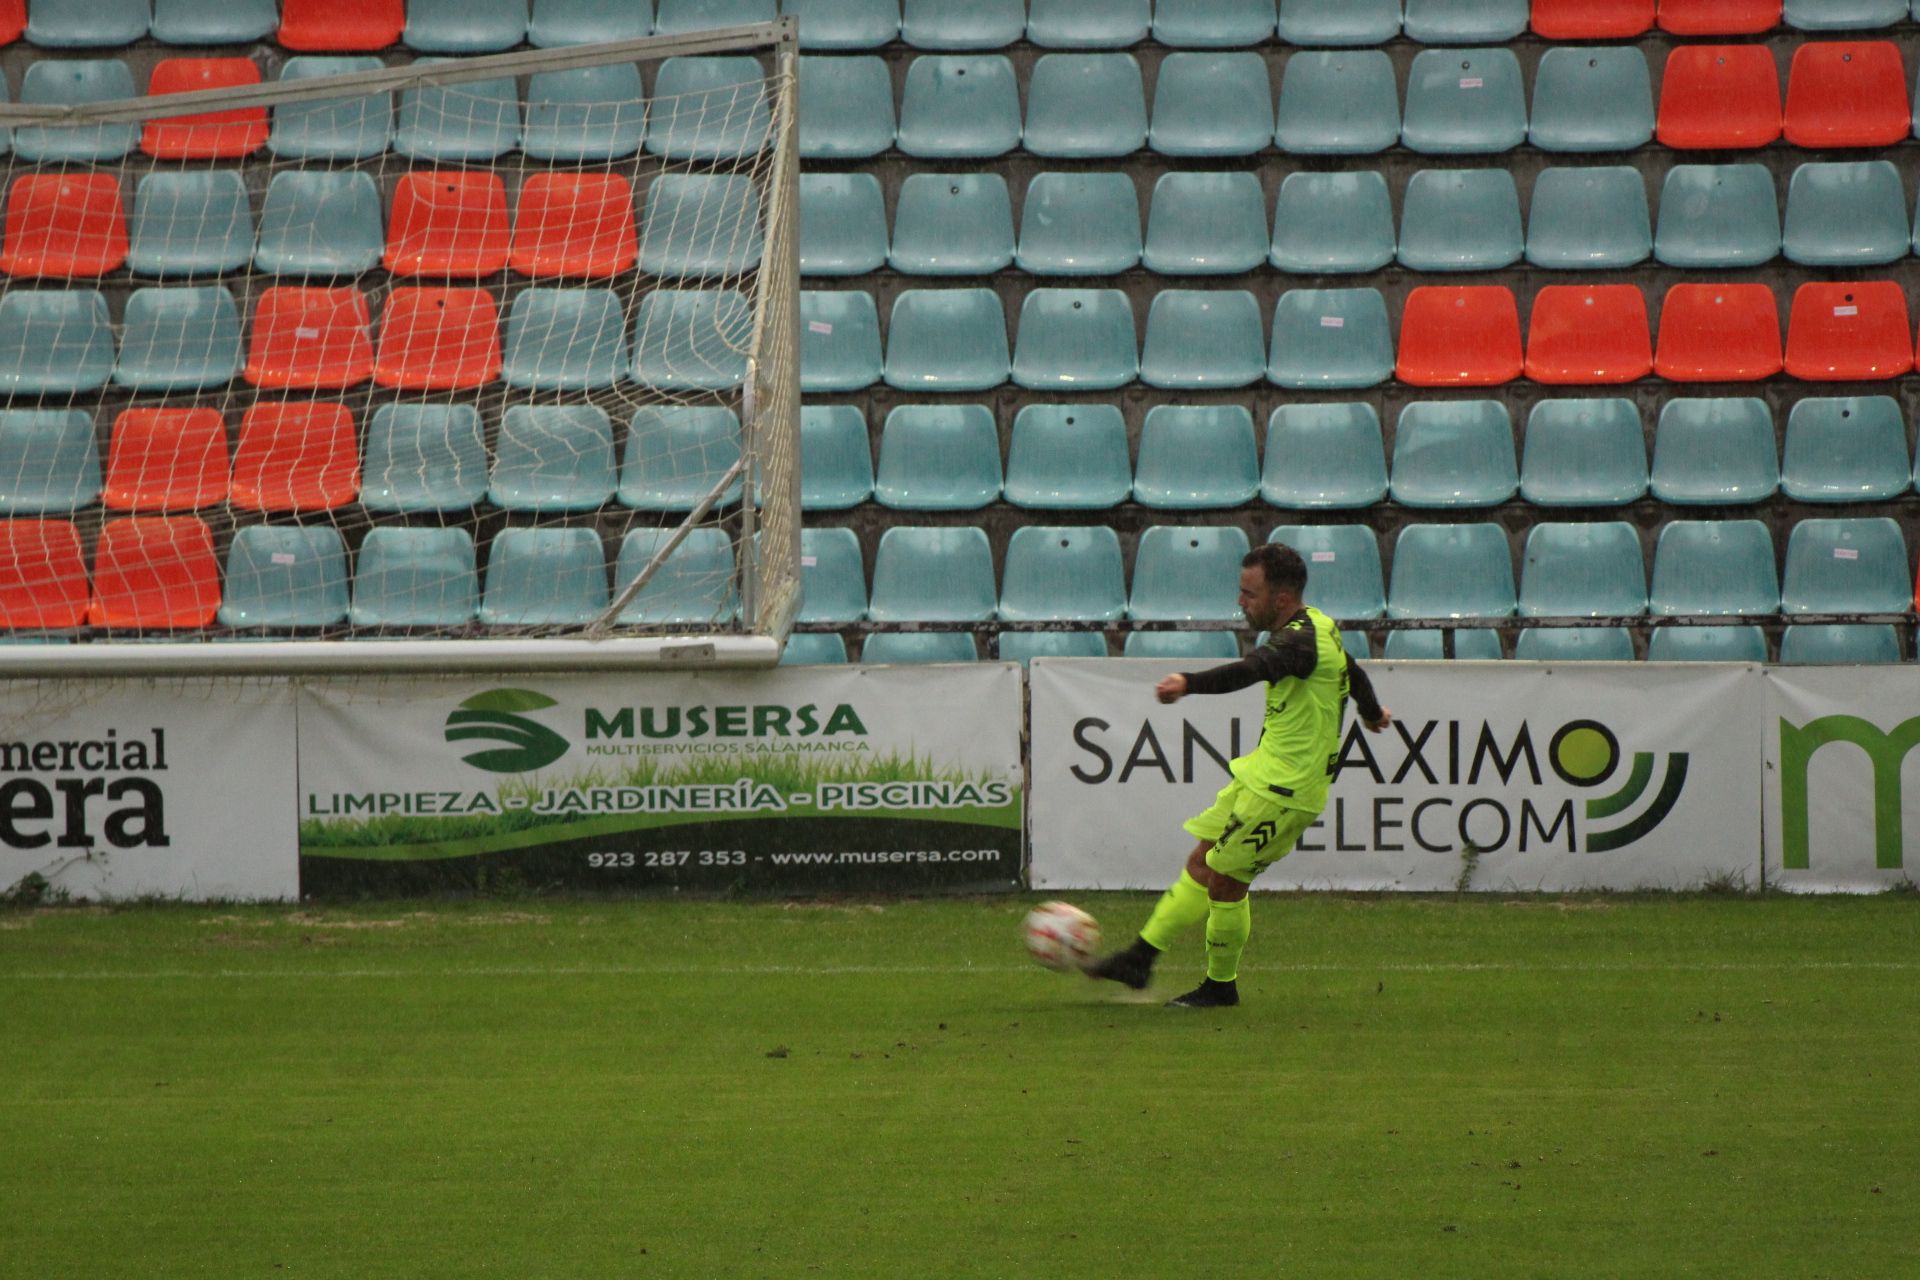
{"x":1454,"y":454}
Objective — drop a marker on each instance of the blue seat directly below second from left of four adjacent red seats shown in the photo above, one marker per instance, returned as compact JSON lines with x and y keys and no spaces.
{"x":1585,"y":454}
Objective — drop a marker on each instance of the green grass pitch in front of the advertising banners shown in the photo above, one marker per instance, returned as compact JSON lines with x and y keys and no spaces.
{"x":1414,"y":1089}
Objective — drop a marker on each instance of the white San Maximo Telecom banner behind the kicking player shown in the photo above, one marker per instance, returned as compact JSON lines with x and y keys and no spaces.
{"x":1495,"y":778}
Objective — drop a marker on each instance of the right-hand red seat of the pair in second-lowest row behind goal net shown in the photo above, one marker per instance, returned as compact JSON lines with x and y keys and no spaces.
{"x":297,"y":458}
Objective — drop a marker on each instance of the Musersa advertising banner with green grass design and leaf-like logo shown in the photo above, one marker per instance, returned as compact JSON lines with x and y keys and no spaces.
{"x":798,"y":778}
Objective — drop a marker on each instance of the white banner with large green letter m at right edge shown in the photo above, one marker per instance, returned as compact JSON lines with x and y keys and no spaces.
{"x":1840,"y":770}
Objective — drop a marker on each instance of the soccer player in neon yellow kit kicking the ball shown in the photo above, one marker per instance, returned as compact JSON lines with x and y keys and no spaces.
{"x":1278,"y":790}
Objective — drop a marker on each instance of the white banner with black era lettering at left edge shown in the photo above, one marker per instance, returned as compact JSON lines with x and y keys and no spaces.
{"x":149,"y":788}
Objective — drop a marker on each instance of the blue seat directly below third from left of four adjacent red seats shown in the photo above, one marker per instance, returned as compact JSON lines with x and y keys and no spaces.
{"x":1716,"y":454}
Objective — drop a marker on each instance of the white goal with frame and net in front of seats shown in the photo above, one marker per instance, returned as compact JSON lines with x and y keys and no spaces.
{"x":481,"y":362}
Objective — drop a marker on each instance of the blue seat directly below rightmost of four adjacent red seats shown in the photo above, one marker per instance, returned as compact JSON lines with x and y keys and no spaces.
{"x":1846,"y":450}
